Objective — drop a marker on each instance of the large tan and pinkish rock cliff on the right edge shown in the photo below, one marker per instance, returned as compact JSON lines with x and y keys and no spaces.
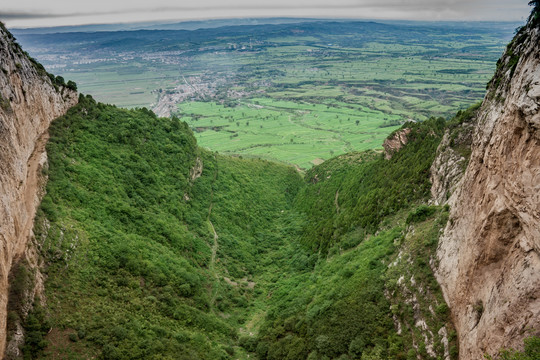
{"x":489,"y":253}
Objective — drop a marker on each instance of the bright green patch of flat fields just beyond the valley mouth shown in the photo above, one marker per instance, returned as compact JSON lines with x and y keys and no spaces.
{"x":297,"y":133}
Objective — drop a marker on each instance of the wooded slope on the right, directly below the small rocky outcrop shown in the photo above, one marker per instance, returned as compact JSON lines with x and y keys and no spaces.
{"x":349,"y":192}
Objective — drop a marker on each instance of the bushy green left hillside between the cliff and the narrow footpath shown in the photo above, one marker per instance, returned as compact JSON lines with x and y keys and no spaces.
{"x":122,"y":266}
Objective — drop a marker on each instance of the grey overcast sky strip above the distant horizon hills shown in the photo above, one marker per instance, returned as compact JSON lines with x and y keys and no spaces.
{"x":32,"y":13}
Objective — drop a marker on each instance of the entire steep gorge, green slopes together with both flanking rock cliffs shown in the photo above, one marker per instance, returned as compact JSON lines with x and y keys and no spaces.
{"x":144,"y":257}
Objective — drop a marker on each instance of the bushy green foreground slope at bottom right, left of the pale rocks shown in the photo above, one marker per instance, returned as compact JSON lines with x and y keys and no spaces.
{"x":338,"y":308}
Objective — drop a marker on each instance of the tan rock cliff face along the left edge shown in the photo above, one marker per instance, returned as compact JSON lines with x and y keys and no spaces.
{"x":28,"y":103}
